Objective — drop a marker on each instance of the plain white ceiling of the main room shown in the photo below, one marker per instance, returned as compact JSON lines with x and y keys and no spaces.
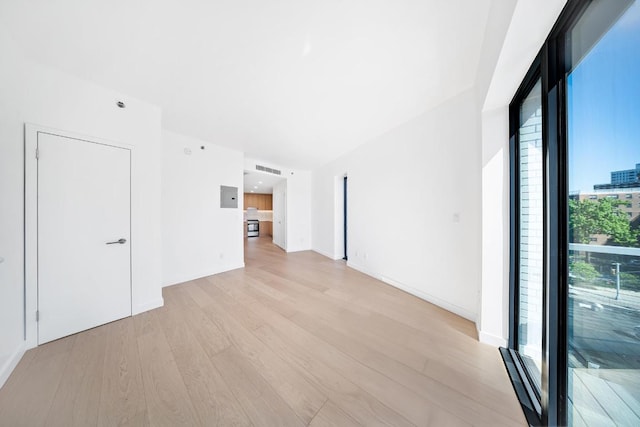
{"x":295,"y":82}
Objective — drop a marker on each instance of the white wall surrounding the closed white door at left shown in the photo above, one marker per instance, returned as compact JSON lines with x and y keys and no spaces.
{"x":32,"y":93}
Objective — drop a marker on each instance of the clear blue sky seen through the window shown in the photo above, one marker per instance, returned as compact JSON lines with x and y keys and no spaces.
{"x":604,"y":106}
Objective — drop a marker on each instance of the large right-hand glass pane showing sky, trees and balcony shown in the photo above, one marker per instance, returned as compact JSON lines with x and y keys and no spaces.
{"x":603,"y":107}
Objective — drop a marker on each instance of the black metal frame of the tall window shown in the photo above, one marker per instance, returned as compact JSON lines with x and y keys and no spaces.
{"x":551,"y":66}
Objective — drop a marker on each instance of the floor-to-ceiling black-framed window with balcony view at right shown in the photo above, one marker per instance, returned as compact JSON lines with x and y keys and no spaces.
{"x":575,"y":261}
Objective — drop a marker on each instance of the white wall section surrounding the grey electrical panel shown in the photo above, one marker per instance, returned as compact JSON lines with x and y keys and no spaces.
{"x":199,"y":238}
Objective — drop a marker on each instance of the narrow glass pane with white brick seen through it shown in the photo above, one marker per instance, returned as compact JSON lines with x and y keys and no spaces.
{"x":531,"y":215}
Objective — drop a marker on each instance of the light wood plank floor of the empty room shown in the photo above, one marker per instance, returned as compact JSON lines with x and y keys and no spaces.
{"x":291,"y":340}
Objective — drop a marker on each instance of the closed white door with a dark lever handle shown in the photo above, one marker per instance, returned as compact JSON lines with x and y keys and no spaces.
{"x":84,"y":278}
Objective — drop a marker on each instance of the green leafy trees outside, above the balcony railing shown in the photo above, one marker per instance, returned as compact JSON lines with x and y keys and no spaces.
{"x":604,"y":216}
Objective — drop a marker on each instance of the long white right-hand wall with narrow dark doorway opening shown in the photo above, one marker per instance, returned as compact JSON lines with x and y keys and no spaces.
{"x":413,"y":206}
